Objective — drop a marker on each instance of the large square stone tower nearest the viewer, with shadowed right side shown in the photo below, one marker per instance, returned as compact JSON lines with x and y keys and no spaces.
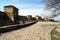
{"x":12,"y":13}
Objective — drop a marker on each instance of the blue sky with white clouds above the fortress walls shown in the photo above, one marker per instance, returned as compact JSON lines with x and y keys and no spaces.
{"x":27,"y":7}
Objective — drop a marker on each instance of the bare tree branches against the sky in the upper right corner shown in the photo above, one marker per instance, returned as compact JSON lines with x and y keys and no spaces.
{"x":53,"y":4}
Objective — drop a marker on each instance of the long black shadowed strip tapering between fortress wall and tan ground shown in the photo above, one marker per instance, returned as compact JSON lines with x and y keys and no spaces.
{"x":8,"y":29}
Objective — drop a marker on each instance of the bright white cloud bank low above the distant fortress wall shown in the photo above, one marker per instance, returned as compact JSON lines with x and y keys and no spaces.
{"x":32,"y":12}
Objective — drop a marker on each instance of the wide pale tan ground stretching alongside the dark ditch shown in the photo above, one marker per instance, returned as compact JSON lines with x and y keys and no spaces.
{"x":38,"y":31}
